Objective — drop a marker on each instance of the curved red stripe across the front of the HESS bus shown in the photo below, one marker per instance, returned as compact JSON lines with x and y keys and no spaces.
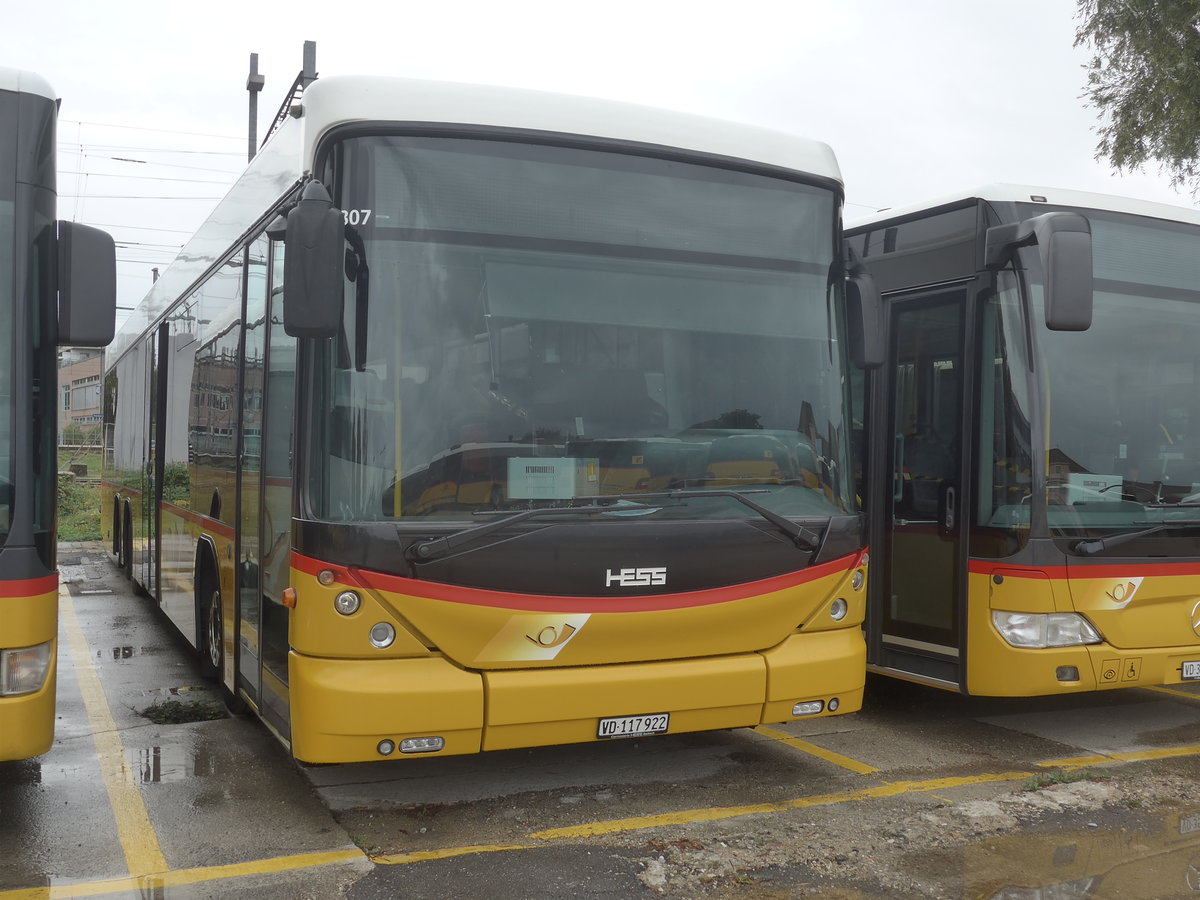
{"x":645,"y":603}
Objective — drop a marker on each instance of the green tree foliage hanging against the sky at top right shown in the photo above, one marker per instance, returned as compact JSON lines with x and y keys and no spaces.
{"x":1144,"y":80}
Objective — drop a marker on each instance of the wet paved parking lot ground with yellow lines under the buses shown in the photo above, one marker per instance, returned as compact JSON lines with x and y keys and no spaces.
{"x":923,"y":794}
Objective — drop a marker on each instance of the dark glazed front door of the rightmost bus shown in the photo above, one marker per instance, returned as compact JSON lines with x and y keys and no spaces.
{"x":915,"y":623}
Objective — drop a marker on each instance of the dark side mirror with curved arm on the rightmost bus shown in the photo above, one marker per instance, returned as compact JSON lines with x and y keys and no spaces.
{"x":1065,"y":244}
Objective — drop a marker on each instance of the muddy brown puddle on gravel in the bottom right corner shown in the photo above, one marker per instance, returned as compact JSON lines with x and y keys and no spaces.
{"x":1089,"y":865}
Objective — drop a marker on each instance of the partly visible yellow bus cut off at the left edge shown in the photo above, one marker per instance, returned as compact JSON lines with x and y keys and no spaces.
{"x":58,"y":286}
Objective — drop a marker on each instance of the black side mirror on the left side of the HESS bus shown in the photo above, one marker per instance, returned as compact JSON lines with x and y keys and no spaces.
{"x":313,"y":266}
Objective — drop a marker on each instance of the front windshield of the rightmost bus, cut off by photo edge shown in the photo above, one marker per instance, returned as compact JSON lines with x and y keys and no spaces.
{"x":1125,"y":397}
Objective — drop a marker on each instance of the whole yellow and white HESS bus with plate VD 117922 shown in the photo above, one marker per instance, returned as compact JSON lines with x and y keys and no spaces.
{"x":363,"y":436}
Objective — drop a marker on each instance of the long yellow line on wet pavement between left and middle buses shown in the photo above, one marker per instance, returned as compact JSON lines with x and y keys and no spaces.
{"x":143,"y":856}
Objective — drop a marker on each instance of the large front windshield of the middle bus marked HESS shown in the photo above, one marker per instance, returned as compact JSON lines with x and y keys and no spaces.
{"x":530,"y":325}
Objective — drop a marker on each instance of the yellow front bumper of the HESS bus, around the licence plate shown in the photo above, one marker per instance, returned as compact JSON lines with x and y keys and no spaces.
{"x":358,"y":711}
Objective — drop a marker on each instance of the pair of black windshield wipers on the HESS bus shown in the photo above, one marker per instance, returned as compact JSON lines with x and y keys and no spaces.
{"x":434,"y":548}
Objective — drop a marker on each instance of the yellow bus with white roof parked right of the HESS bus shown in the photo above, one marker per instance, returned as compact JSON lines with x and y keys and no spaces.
{"x":1034,"y":443}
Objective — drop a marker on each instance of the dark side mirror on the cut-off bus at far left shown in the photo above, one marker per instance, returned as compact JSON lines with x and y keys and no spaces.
{"x":87,"y":265}
